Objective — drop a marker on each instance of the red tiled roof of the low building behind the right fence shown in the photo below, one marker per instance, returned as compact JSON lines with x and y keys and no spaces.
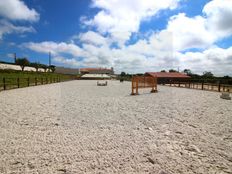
{"x":167,"y":75}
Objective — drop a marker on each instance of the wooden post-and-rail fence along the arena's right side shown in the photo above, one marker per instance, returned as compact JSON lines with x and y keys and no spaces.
{"x":202,"y":86}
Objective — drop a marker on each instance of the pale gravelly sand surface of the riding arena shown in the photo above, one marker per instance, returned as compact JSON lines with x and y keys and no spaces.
{"x":78,"y":127}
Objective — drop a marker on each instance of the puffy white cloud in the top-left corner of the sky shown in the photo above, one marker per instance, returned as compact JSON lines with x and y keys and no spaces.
{"x":17,"y":10}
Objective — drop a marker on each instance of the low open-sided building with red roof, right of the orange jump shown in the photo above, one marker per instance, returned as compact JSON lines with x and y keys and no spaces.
{"x":167,"y":77}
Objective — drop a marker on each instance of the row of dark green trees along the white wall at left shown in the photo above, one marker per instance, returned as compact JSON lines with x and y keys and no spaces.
{"x":23,"y":62}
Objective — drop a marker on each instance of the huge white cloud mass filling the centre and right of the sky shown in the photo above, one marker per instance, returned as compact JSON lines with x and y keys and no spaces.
{"x":160,"y":50}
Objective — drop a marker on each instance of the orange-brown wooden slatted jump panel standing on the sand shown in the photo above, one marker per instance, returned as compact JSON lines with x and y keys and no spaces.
{"x":143,"y":82}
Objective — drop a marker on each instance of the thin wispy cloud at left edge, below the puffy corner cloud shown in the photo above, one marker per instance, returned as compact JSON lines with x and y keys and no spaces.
{"x":8,"y":28}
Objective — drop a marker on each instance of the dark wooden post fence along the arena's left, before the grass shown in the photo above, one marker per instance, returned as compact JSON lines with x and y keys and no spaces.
{"x":12,"y":83}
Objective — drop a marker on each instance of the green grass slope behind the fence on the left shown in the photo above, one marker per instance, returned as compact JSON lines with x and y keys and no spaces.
{"x":13,"y":79}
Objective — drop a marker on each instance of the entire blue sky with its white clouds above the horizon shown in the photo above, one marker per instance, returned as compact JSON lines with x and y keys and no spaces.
{"x":130,"y":35}
